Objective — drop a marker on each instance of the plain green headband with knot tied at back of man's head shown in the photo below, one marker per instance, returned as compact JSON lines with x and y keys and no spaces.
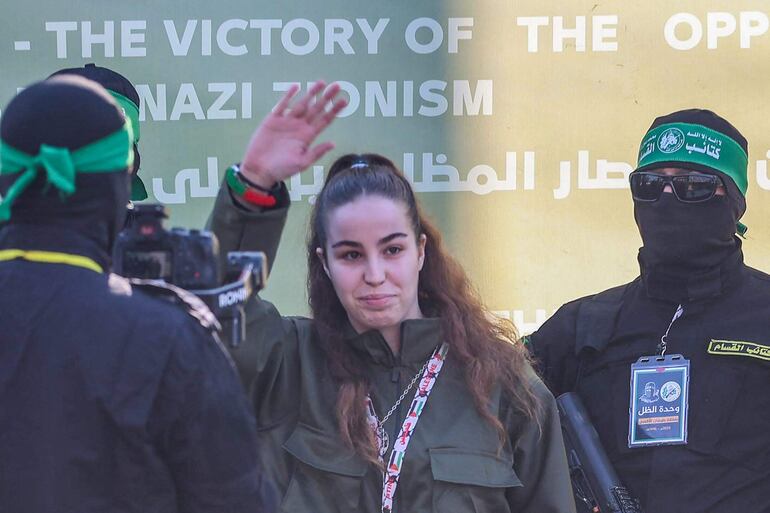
{"x":107,"y":155}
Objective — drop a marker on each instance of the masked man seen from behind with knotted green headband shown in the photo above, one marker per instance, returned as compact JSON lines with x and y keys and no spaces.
{"x":109,"y":400}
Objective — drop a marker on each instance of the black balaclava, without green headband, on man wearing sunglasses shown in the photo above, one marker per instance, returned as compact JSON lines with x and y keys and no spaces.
{"x":690,"y":238}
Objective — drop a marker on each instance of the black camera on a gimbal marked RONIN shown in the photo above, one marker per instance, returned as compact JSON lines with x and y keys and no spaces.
{"x":145,"y":252}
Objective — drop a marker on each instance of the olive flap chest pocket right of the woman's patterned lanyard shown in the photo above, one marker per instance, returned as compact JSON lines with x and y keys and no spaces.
{"x":470,"y":481}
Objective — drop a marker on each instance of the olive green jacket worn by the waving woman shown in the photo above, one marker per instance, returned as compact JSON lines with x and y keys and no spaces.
{"x":454,"y":462}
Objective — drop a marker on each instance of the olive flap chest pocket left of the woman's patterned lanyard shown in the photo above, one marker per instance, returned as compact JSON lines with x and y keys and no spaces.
{"x":326,"y":477}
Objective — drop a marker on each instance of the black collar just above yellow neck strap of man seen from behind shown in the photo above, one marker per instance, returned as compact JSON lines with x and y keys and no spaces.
{"x":52,"y":238}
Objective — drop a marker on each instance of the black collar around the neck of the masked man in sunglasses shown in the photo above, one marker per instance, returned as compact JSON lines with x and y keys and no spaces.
{"x":662,"y":283}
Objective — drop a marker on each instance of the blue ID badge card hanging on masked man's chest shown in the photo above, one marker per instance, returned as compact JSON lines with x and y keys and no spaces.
{"x":659,"y":400}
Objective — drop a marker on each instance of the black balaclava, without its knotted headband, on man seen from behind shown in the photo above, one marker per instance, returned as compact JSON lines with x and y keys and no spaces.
{"x":68,"y":113}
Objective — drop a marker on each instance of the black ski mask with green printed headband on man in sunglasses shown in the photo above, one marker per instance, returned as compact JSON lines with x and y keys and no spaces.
{"x":690,"y":238}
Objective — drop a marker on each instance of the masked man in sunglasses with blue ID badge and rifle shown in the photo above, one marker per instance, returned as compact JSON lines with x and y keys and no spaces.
{"x":687,"y":427}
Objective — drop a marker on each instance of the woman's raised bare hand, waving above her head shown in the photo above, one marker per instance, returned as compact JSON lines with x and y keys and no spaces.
{"x":282,"y":145}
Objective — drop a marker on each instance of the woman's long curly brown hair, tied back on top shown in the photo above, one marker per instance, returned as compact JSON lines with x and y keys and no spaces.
{"x":486,"y":348}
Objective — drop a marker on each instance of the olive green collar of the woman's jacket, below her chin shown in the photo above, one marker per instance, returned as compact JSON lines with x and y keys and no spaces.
{"x":419,"y":337}
